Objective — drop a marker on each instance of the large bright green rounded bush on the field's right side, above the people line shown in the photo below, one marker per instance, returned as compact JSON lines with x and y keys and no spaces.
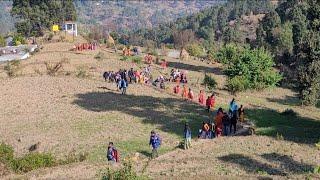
{"x":254,"y":66}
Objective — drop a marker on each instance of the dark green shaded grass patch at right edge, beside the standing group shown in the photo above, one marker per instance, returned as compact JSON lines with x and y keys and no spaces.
{"x":288,"y":124}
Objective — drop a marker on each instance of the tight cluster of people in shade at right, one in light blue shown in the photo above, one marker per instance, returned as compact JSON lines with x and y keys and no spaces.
{"x":224,"y":122}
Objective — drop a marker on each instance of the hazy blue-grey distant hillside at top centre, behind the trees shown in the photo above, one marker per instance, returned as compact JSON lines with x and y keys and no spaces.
{"x":123,"y":16}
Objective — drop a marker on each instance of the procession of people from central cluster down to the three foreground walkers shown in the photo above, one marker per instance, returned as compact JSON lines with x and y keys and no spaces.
{"x":223,"y":124}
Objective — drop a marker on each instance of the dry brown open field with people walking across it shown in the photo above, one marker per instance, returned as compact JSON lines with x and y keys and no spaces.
{"x":66,"y":113}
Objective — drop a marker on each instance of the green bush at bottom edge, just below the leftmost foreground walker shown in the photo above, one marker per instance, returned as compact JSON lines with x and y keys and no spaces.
{"x":126,"y":173}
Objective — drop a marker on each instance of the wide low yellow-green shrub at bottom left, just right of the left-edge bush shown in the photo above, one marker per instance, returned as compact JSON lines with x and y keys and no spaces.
{"x":31,"y":162}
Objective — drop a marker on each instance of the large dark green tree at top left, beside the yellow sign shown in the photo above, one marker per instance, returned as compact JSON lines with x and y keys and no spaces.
{"x":34,"y":16}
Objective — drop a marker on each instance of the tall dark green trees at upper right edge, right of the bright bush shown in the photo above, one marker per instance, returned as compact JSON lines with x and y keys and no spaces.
{"x":292,"y":33}
